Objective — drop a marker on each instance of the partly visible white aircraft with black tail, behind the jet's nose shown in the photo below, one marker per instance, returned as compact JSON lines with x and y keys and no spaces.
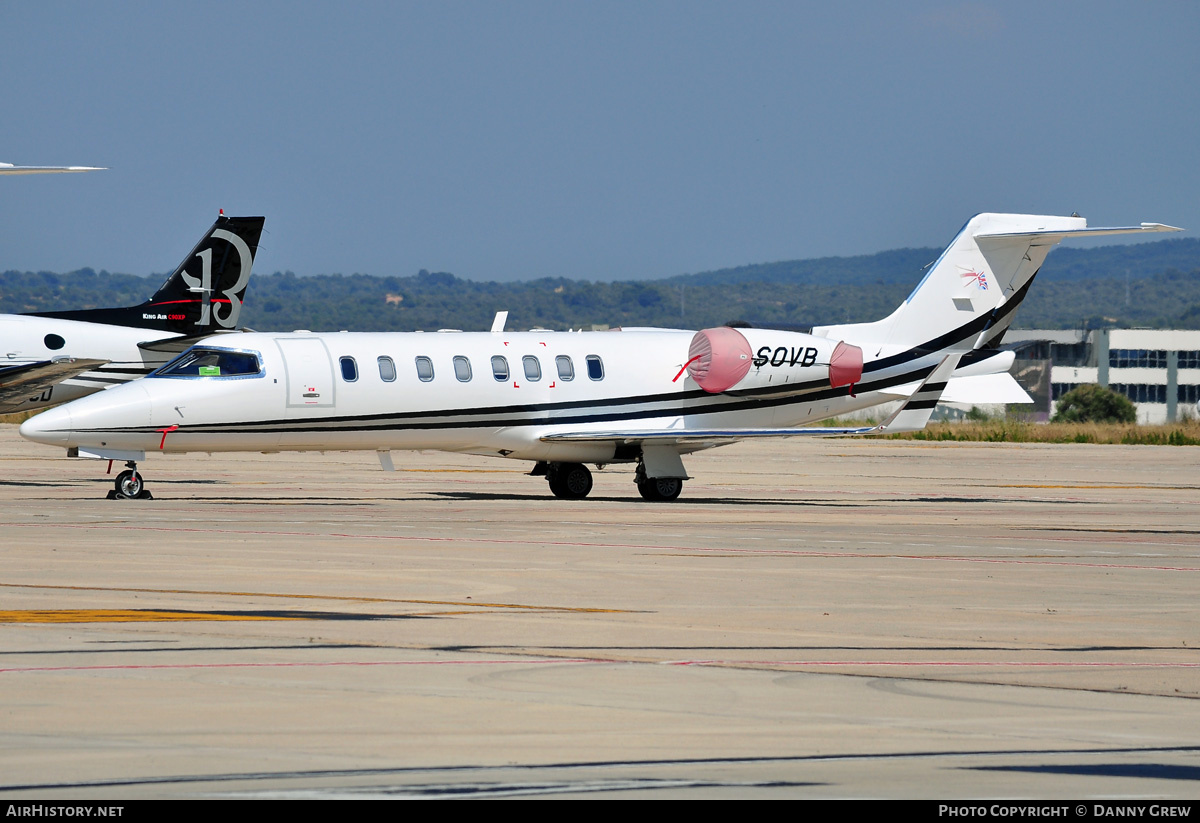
{"x":49,"y":358}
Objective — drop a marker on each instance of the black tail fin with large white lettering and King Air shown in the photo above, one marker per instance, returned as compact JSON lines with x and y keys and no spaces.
{"x":205,"y":293}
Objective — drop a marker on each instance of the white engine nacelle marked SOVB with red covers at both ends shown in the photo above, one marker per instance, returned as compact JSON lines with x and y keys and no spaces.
{"x":742,"y":359}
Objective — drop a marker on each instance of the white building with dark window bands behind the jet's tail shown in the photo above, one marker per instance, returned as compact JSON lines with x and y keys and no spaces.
{"x":1159,"y":370}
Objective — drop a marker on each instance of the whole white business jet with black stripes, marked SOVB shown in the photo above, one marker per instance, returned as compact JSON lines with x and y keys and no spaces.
{"x":563,"y":400}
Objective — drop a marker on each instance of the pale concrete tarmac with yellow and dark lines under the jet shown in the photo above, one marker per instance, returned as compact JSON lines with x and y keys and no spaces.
{"x":811,"y":620}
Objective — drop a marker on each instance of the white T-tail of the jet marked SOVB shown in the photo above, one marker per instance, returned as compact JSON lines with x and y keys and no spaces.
{"x":970,"y":295}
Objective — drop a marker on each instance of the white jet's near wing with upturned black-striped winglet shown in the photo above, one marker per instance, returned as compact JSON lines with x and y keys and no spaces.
{"x":911,"y":417}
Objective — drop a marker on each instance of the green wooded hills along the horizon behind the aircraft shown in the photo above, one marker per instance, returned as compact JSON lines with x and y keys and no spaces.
{"x":1155,"y":285}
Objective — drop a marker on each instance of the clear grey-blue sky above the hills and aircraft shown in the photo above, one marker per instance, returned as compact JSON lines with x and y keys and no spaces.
{"x":598,"y":141}
